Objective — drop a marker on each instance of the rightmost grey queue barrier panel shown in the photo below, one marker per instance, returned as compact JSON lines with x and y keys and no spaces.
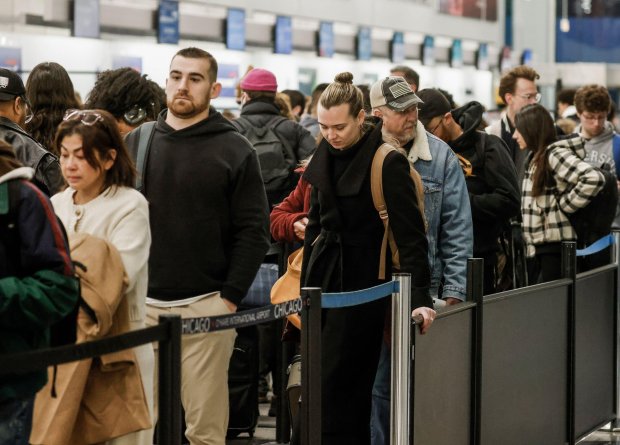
{"x":595,"y":336}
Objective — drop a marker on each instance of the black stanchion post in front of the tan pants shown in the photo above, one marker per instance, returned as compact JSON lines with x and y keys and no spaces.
{"x":169,"y":423}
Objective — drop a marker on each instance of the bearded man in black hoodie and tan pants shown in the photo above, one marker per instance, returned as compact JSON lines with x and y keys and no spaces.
{"x":210,"y":229}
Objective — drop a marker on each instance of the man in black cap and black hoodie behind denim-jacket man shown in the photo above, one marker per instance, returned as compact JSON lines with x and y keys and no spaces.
{"x":490,"y":174}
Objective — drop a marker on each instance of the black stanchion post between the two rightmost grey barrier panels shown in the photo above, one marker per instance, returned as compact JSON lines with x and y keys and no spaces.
{"x":568,"y":266}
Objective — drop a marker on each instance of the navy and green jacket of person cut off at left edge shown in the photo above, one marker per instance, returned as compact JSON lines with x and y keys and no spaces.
{"x":35,"y":273}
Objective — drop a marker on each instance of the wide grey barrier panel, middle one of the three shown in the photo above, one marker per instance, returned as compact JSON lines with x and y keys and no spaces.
{"x":525,"y":378}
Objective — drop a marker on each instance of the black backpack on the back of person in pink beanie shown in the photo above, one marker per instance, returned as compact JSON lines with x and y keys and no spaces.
{"x":275,"y":155}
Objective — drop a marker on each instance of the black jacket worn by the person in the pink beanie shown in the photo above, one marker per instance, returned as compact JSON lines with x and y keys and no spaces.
{"x":258,"y":113}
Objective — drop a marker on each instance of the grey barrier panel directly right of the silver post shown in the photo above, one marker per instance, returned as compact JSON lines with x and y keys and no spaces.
{"x":442,"y":375}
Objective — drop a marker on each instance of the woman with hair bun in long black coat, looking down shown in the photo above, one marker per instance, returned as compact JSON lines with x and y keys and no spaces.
{"x":342,"y":248}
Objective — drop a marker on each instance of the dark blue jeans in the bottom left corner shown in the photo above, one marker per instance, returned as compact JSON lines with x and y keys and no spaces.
{"x":16,"y":421}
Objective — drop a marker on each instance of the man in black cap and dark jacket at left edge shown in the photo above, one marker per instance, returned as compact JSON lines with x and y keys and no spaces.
{"x":14,"y":110}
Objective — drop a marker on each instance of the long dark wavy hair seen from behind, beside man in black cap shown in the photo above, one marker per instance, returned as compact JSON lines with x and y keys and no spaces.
{"x":50,"y":93}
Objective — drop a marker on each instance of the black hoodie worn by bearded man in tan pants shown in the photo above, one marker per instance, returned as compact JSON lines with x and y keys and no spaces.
{"x":208,"y":210}
